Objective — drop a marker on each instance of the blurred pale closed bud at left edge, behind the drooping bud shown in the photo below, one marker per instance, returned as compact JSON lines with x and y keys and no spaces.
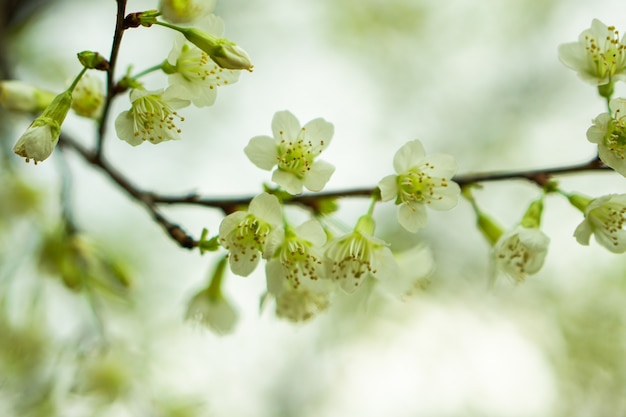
{"x":19,"y":96}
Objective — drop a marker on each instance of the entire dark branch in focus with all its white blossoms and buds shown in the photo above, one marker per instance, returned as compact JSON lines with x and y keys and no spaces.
{"x":309,"y":263}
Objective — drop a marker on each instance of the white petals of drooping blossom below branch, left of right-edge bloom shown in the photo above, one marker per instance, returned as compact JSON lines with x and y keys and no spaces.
{"x":521,"y":252}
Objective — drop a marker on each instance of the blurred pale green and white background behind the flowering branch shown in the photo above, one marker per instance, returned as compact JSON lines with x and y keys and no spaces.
{"x":479,"y":81}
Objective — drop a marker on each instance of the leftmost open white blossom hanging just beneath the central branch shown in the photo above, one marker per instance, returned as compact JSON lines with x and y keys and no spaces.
{"x":244,"y":233}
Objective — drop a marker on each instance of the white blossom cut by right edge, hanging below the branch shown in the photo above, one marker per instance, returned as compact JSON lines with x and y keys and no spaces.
{"x":605,"y":218}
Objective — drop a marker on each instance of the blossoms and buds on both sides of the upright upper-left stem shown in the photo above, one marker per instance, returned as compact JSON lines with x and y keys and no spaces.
{"x":200,"y":62}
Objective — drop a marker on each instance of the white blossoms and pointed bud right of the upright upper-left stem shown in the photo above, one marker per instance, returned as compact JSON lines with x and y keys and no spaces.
{"x":197,"y":65}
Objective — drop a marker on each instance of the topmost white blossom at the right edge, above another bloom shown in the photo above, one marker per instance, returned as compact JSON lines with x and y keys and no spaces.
{"x":599,"y":56}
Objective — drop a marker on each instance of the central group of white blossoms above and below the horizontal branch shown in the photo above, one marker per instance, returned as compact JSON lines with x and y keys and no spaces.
{"x":307,"y":264}
